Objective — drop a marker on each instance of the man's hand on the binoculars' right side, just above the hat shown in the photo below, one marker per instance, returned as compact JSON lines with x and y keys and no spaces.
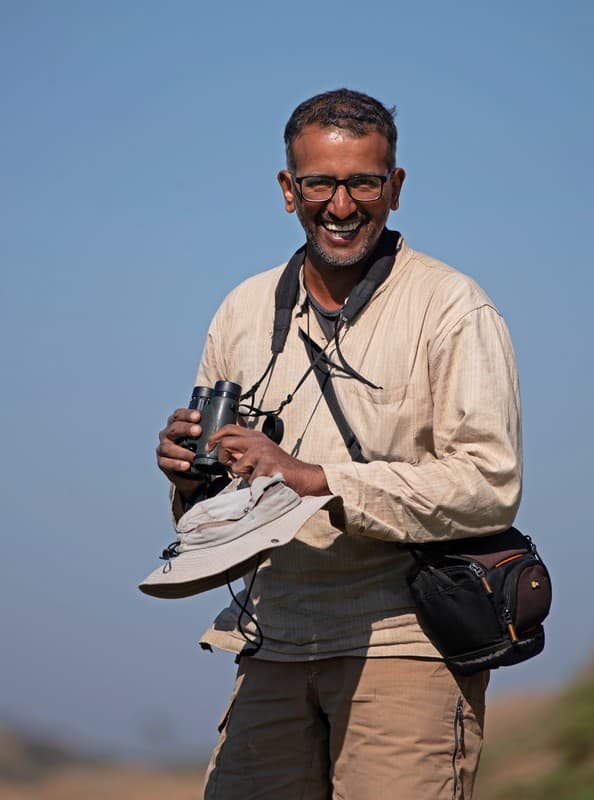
{"x":250,"y":454}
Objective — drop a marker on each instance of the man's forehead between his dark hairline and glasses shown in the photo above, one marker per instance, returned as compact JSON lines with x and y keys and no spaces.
{"x":335,"y":151}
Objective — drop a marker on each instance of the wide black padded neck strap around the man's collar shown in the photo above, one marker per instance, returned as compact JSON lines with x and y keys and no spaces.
{"x":287,"y":289}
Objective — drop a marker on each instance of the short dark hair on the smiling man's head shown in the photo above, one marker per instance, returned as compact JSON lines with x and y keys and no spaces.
{"x":355,"y":112}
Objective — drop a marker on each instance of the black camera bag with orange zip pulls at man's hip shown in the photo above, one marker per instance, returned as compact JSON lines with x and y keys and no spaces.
{"x":482,"y":600}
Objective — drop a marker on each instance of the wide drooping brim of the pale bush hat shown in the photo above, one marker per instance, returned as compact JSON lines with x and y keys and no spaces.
{"x":201,"y":569}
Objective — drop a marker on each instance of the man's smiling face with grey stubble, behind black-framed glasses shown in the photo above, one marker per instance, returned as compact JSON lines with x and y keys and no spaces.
{"x":341,"y":232}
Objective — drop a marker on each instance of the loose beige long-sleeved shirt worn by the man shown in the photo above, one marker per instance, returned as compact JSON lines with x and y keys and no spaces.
{"x":442,"y":437}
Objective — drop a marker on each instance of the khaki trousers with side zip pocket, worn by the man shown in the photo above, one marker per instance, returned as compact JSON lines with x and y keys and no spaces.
{"x":349,"y":729}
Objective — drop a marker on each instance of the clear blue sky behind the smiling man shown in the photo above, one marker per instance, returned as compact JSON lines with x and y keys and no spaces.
{"x":139,"y":148}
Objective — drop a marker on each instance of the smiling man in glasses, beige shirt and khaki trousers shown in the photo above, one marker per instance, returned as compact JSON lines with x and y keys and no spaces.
{"x":346,"y":697}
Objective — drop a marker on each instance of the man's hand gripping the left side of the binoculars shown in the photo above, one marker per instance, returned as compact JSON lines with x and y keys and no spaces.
{"x":173,"y":459}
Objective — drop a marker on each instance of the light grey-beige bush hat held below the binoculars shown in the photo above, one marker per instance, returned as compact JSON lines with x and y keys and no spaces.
{"x":219,"y":539}
